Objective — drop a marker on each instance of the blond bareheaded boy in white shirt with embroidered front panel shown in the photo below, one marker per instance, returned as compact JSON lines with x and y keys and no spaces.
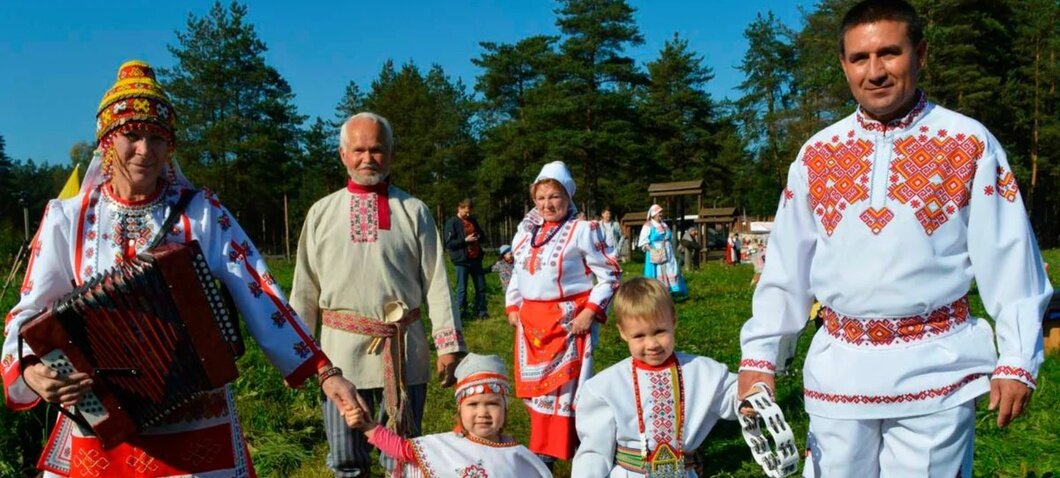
{"x":638,"y":418}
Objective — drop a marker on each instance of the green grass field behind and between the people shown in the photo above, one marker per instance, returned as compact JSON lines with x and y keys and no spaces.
{"x":286,"y":433}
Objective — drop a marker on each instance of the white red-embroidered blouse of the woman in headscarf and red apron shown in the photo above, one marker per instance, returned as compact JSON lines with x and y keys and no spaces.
{"x":563,"y":267}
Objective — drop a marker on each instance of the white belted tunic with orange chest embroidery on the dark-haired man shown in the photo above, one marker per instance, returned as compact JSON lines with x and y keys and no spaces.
{"x":888,"y":226}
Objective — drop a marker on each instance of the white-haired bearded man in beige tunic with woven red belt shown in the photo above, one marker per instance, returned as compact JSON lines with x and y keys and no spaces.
{"x":368,"y":258}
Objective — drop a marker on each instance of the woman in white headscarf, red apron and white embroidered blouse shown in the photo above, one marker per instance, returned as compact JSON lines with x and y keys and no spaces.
{"x":556,"y":308}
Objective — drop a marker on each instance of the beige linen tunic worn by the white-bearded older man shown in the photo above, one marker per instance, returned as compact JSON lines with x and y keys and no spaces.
{"x":347,"y":263}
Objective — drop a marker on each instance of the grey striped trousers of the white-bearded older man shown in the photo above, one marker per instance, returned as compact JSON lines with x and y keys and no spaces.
{"x":349,"y":452}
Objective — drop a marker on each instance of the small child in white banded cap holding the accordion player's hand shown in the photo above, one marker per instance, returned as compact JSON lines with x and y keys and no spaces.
{"x":476,"y":447}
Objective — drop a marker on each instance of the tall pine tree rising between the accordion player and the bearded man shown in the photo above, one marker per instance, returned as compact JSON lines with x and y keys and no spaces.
{"x":238,"y":127}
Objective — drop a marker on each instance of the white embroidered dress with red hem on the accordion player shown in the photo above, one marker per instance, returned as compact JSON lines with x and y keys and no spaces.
{"x":95,"y":232}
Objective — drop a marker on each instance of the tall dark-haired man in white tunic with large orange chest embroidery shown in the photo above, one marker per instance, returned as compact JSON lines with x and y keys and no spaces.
{"x":888,"y":217}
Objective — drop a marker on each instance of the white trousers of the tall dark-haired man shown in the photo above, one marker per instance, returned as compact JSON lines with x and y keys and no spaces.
{"x":934,"y":446}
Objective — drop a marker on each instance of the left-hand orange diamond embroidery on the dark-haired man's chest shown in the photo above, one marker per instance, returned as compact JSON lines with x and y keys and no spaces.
{"x":839,"y":179}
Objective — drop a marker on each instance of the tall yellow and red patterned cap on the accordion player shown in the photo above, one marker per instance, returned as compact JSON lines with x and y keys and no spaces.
{"x":136,"y":97}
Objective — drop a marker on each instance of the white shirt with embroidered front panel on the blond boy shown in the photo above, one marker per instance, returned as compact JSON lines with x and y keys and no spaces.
{"x":608,"y":415}
